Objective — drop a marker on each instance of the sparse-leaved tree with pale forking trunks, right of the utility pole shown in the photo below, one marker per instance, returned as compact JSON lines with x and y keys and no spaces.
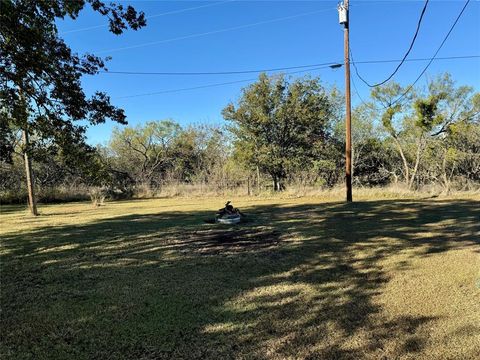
{"x":422,"y":123}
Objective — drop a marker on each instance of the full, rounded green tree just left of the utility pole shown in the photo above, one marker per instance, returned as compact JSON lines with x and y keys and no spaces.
{"x":279,"y":125}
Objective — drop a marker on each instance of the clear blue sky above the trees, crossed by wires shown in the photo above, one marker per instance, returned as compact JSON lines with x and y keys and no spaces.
{"x":206,"y":36}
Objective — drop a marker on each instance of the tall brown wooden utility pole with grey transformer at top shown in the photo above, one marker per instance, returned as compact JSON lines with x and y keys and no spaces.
{"x":343,"y":17}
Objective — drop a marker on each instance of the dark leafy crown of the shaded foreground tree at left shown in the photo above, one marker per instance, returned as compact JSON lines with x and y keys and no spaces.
{"x":40,"y":86}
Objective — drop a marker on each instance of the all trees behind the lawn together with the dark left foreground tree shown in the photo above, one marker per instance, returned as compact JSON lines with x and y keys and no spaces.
{"x":281,"y":132}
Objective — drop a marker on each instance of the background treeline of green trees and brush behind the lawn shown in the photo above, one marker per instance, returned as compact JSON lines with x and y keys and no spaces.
{"x":280,"y":133}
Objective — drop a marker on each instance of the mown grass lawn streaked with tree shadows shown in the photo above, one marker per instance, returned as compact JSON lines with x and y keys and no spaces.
{"x":304,"y":278}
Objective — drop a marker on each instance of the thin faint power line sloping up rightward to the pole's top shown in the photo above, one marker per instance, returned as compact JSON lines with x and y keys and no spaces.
{"x":196,"y":35}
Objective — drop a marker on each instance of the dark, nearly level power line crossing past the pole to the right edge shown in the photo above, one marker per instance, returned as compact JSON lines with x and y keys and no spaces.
{"x":235,"y":72}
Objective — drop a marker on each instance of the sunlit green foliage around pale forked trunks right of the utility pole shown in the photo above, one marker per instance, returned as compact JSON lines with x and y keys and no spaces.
{"x":423,"y":128}
